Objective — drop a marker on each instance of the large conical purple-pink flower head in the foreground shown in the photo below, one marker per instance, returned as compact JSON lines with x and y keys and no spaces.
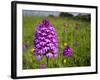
{"x":45,"y":41}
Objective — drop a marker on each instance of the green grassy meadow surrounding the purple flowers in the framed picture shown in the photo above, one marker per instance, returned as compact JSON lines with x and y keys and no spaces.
{"x":70,"y":31}
